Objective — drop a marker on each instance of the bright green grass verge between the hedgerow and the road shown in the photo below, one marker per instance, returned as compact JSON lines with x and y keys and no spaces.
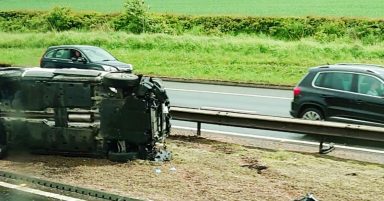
{"x":240,"y":59}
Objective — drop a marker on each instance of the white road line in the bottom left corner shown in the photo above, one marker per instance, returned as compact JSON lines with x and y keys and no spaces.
{"x":38,"y":192}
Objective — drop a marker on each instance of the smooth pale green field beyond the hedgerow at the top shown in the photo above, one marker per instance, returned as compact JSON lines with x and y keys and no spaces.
{"x":348,"y":8}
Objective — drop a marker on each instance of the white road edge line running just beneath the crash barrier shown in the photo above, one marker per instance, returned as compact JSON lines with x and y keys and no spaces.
{"x":279,"y":139}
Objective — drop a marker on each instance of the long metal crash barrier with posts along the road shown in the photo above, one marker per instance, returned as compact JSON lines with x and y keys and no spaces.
{"x":319,"y":128}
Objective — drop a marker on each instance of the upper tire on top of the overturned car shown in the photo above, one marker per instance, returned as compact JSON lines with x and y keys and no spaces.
{"x":120,"y":80}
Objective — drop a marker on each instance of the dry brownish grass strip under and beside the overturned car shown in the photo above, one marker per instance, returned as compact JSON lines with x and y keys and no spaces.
{"x":205,"y":169}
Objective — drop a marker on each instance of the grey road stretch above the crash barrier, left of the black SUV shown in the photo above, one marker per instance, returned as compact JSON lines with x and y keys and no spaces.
{"x":261,"y":101}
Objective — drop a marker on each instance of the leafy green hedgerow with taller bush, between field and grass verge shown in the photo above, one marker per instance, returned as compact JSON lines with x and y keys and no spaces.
{"x":135,"y":19}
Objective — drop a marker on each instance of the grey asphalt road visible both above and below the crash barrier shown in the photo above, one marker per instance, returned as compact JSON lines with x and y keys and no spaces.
{"x":273,"y":102}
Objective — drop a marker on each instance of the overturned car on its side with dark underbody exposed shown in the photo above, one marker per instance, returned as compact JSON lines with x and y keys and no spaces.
{"x":116,"y":115}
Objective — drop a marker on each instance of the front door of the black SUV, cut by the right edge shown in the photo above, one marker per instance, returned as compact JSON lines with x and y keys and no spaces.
{"x":369,"y":105}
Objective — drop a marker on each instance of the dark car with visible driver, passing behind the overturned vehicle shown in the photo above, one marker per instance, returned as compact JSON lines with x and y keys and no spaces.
{"x":83,"y":57}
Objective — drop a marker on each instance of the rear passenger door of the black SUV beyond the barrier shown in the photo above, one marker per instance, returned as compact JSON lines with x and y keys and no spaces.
{"x":336,"y":92}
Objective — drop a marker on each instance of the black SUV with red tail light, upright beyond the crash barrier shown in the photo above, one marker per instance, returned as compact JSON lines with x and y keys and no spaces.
{"x":342,"y":92}
